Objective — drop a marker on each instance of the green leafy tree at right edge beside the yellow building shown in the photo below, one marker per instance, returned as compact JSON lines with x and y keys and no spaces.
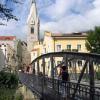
{"x":93,"y":40}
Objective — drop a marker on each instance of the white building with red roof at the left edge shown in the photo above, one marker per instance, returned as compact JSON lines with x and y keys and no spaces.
{"x":7,"y":46}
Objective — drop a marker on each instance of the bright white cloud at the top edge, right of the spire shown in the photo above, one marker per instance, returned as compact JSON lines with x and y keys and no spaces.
{"x":58,"y":9}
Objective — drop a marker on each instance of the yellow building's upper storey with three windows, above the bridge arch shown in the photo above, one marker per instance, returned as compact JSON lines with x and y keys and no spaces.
{"x":54,"y":42}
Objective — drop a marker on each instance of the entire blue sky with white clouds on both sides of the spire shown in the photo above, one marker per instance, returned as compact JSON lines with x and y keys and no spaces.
{"x":58,"y":16}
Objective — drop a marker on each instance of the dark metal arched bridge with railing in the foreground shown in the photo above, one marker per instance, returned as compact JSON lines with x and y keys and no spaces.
{"x":83,"y":69}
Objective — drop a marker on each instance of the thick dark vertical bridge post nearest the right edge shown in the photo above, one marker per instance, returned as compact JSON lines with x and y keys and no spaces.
{"x":91,"y":75}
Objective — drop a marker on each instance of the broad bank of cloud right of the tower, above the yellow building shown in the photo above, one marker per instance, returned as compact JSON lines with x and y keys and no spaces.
{"x":85,"y":17}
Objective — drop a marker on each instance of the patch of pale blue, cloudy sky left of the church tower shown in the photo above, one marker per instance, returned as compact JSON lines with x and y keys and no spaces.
{"x":17,"y":28}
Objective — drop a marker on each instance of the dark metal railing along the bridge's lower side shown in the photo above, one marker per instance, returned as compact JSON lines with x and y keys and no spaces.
{"x":59,"y":89}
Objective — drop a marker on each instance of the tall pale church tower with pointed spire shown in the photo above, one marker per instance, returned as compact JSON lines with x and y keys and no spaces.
{"x":33,"y":26}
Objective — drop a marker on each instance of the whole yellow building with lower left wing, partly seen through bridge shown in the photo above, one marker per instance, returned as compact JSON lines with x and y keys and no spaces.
{"x":53,"y":42}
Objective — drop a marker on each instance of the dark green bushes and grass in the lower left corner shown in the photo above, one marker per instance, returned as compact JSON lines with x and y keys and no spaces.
{"x":8,"y":87}
